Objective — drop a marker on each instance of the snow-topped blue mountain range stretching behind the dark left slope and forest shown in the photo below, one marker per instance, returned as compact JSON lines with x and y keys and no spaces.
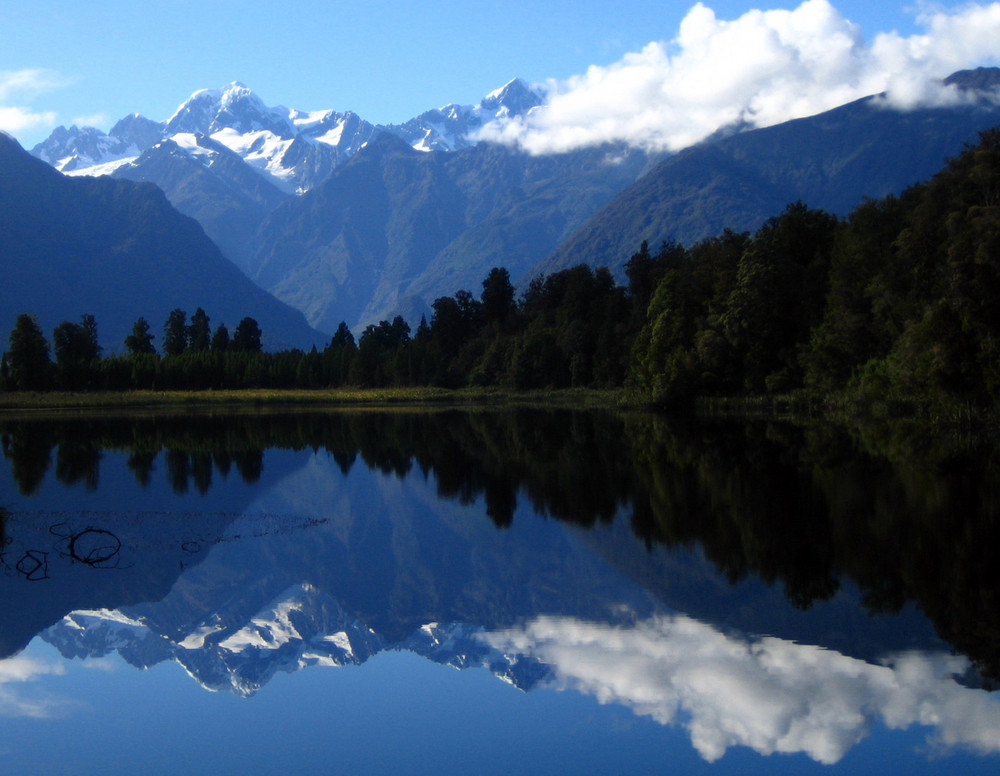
{"x":345,"y":220}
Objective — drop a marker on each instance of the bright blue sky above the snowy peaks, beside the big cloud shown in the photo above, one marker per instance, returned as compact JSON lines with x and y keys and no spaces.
{"x":387,"y":60}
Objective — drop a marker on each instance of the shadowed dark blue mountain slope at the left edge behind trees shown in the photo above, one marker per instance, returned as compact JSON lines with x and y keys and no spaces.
{"x":117,"y":250}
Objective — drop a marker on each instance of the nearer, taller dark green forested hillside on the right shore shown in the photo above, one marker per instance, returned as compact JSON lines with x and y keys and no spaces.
{"x":896,"y":305}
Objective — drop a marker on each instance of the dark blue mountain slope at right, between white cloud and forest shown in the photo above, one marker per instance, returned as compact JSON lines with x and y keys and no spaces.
{"x":830,"y":161}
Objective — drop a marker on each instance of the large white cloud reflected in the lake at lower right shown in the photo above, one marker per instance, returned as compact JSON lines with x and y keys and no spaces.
{"x":768,"y":694}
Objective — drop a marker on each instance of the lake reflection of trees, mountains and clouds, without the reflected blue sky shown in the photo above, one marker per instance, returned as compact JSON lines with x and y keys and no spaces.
{"x":245,"y":546}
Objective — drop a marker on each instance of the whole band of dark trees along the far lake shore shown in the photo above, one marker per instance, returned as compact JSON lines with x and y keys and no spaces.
{"x":893,"y":305}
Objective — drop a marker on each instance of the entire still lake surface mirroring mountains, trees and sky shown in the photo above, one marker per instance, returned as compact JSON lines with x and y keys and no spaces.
{"x":495,"y":592}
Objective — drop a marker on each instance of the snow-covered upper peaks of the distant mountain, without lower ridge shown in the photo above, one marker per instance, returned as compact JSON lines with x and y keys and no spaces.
{"x":293,"y":149}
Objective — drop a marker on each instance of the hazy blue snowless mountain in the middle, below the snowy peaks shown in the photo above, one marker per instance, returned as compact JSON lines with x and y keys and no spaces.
{"x":394,"y":229}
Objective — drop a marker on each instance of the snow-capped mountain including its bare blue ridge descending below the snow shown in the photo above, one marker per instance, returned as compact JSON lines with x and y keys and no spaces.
{"x":227,"y":160}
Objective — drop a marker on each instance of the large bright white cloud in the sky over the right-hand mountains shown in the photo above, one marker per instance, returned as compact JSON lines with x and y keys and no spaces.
{"x":762,"y":68}
